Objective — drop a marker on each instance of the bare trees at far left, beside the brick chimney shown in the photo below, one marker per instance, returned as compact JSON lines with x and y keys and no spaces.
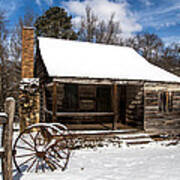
{"x":10,"y":60}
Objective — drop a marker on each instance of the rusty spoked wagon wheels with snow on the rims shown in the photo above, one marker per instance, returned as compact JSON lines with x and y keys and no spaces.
{"x":37,"y":150}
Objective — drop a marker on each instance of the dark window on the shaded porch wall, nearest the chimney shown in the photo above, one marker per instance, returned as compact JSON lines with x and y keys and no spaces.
{"x":71,"y":97}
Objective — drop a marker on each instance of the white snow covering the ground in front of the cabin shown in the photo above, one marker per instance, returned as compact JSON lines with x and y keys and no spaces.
{"x":153,"y":161}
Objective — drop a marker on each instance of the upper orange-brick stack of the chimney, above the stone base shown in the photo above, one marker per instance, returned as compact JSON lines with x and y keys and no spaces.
{"x":27,"y":64}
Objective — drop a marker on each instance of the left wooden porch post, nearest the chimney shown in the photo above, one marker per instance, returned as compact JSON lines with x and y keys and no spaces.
{"x":54,"y":103}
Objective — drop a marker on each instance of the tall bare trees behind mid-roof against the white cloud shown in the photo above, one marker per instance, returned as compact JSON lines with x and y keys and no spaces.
{"x":94,"y":30}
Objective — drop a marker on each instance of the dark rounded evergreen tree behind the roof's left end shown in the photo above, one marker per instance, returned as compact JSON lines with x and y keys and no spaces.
{"x":55,"y":23}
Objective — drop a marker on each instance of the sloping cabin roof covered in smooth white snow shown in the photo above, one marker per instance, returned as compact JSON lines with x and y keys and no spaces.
{"x":64,"y":58}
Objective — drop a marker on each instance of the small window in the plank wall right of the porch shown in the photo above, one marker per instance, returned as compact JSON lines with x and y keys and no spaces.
{"x":165,"y":101}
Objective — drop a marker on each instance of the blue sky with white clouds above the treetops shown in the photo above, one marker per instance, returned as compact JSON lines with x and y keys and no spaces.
{"x":161,"y":17}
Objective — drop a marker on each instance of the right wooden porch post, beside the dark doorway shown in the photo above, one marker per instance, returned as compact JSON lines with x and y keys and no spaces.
{"x":115,"y":105}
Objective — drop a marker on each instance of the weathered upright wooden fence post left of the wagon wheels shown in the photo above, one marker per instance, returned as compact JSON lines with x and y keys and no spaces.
{"x":7,"y":139}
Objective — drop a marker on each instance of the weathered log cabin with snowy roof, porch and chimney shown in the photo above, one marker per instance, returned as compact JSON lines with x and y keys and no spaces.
{"x":94,"y":86}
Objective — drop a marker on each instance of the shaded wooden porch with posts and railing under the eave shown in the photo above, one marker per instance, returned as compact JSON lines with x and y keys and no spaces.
{"x":112,"y":119}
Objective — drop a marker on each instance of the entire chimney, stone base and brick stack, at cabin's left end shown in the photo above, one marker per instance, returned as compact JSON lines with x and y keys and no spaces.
{"x":29,"y":97}
